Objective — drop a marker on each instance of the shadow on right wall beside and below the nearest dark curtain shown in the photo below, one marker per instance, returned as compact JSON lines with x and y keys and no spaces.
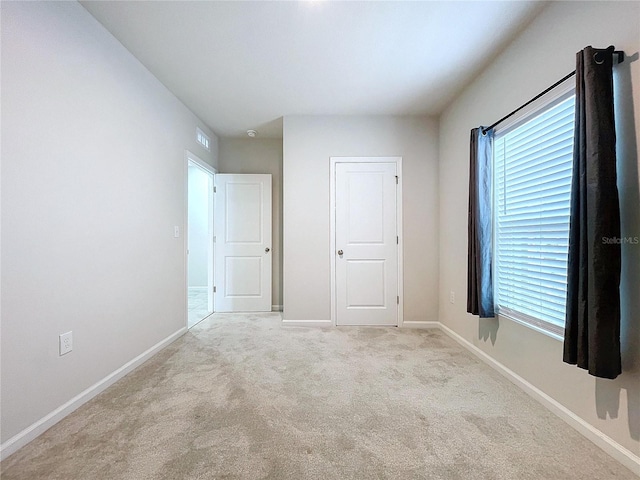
{"x":608,"y":392}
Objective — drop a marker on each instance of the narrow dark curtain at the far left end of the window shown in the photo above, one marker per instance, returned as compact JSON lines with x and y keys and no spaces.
{"x":479,"y":261}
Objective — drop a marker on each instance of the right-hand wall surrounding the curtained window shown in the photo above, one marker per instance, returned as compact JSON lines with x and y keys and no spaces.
{"x":542,"y":54}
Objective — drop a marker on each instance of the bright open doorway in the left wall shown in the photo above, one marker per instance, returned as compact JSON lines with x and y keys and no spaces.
{"x":200,"y":252}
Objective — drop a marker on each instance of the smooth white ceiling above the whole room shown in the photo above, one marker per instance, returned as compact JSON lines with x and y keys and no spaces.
{"x":244,"y":65}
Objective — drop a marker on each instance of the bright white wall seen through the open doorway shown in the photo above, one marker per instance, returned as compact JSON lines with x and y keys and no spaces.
{"x":198,"y":212}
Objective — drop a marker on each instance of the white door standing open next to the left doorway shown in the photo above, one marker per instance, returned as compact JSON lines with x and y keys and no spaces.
{"x":243,"y":243}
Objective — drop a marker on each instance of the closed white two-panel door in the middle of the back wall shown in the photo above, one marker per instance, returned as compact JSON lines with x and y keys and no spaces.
{"x":366,"y":244}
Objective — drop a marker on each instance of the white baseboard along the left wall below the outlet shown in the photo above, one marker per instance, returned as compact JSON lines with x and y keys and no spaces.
{"x":34,"y":430}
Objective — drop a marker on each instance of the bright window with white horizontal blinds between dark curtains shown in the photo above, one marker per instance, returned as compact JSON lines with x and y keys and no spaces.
{"x":532,"y":168}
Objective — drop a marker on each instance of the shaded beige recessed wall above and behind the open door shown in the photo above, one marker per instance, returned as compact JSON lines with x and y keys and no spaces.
{"x":260,"y":155}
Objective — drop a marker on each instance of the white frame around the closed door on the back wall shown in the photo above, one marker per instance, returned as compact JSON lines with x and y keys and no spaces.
{"x":332,"y":226}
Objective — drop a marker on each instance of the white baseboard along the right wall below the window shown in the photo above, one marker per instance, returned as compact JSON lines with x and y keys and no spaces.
{"x":606,"y":443}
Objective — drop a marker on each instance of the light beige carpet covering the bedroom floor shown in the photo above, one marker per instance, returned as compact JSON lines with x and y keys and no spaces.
{"x":241,"y":397}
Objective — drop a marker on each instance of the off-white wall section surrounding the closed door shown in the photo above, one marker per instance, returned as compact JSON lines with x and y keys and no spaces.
{"x":309,"y":142}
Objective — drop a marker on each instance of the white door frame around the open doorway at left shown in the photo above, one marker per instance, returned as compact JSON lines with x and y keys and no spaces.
{"x":190,"y":157}
